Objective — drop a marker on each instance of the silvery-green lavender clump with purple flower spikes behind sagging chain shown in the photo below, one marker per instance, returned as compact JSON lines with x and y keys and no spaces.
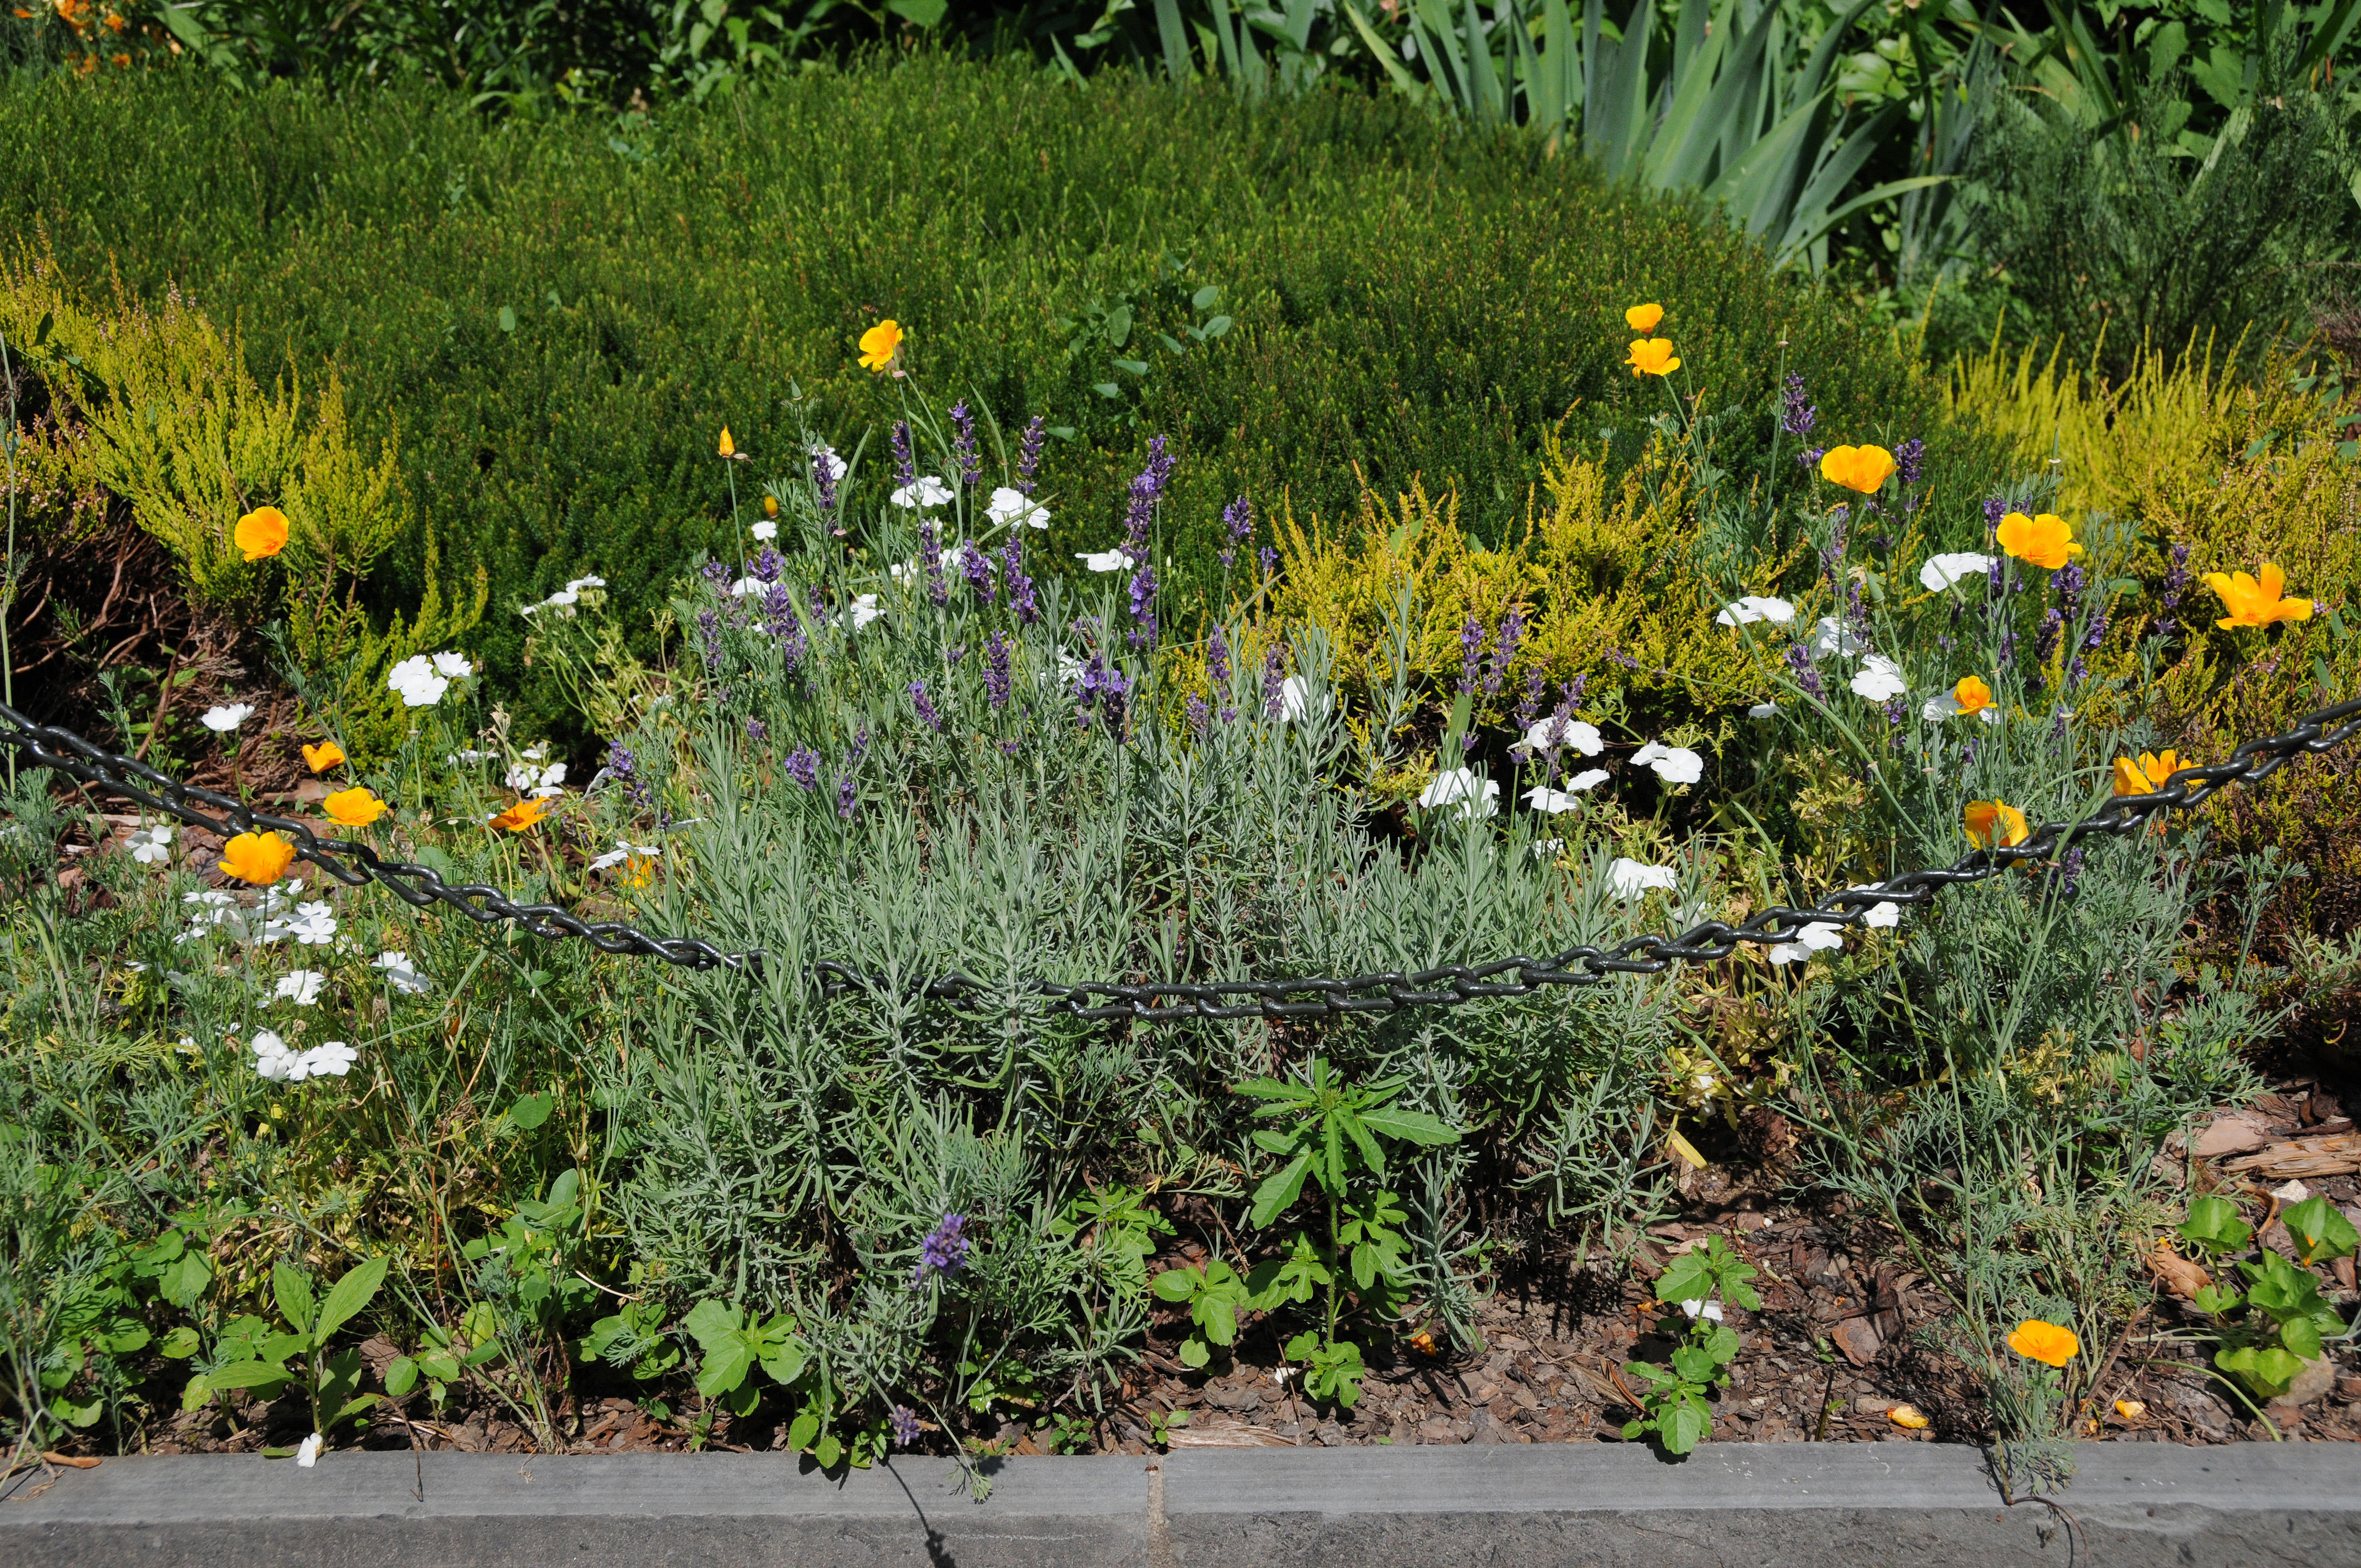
{"x":877,"y":792}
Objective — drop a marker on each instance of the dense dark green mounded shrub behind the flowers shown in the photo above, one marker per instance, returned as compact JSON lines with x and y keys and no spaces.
{"x":1408,"y":301}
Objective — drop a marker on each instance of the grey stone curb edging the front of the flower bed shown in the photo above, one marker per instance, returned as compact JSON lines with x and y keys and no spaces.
{"x":1807,"y":1505}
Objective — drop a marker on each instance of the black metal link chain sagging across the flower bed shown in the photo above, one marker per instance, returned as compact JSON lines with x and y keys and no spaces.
{"x":1175,"y":1000}
